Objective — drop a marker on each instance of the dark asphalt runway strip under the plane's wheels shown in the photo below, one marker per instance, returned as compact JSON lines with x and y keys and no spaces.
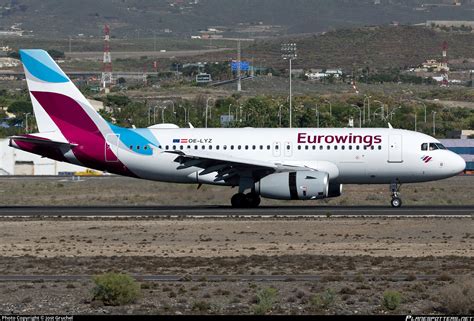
{"x":223,"y":211}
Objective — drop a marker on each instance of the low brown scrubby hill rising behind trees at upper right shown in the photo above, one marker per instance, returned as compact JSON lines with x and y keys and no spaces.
{"x":373,"y":47}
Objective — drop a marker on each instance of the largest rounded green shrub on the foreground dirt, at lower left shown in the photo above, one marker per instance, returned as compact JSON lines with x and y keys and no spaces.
{"x":115,"y":289}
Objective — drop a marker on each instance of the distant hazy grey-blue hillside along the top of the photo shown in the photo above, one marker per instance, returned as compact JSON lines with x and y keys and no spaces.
{"x":142,"y":18}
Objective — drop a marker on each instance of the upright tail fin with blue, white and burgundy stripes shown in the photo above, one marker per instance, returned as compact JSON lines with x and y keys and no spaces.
{"x":57,"y":103}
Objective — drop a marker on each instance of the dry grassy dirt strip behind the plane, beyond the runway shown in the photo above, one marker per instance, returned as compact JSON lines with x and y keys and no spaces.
{"x":127,"y":191}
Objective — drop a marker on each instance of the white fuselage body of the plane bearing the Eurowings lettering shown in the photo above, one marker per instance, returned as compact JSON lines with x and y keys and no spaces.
{"x":393,"y":155}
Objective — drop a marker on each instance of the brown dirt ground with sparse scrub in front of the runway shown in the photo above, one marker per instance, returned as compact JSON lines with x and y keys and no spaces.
{"x":428,"y":260}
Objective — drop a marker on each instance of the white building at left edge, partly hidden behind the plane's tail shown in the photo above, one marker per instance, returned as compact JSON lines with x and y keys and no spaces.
{"x":17,"y":162}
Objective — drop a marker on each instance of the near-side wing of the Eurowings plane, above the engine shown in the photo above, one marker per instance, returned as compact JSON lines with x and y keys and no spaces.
{"x":229,"y":168}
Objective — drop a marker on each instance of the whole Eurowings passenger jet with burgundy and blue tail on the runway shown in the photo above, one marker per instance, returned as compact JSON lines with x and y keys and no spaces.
{"x":276,"y":163}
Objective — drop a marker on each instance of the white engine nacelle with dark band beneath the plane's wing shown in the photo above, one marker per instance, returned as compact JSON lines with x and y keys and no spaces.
{"x":304,"y":185}
